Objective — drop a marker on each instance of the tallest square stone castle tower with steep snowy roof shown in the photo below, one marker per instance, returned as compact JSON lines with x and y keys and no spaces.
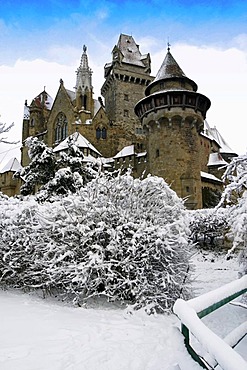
{"x":126,"y":78}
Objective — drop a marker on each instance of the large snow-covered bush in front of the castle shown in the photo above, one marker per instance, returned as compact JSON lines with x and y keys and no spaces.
{"x":119,"y":237}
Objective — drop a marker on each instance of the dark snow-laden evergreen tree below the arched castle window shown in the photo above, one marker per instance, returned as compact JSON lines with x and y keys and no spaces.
{"x":51,"y":174}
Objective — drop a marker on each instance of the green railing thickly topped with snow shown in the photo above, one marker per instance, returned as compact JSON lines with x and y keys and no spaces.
{"x":190,"y":312}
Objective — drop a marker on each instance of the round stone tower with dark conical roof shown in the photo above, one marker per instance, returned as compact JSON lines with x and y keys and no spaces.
{"x":172,"y":114}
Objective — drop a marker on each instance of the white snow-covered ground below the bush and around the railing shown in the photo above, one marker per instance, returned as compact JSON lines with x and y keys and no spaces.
{"x":38,"y":334}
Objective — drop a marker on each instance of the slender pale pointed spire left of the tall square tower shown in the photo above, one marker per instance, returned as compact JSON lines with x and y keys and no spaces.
{"x":84,"y":88}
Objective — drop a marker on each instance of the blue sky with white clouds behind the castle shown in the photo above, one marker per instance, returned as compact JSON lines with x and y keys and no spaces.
{"x":41,"y":42}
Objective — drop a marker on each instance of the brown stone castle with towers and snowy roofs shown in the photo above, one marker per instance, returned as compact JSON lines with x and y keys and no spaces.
{"x":156,"y":125}
